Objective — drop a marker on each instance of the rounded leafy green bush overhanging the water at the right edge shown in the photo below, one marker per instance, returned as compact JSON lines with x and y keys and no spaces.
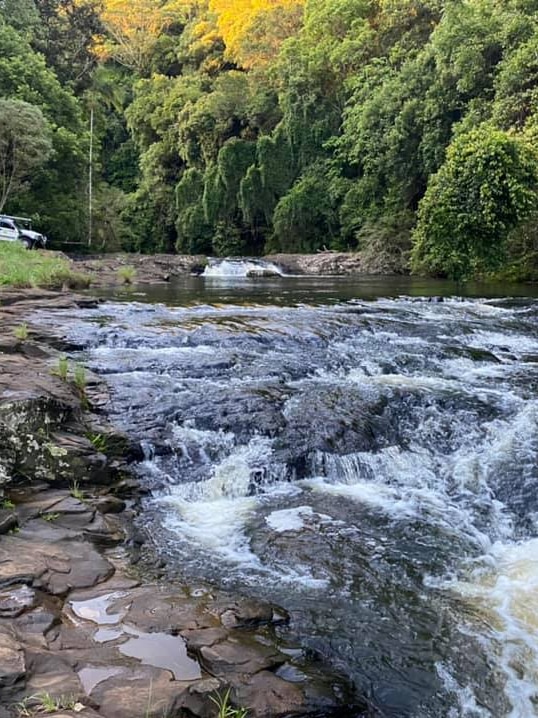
{"x":486,"y":187}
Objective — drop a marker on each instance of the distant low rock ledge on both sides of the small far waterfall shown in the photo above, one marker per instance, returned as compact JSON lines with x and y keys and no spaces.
{"x":111,"y":269}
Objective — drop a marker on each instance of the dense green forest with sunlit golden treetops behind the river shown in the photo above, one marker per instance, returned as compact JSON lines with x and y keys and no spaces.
{"x":406,"y":129}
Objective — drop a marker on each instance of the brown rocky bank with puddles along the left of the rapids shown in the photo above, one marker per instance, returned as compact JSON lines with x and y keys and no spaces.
{"x":82,"y":630}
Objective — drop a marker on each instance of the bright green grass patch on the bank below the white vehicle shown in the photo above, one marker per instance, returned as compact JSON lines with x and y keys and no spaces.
{"x":22,"y":268}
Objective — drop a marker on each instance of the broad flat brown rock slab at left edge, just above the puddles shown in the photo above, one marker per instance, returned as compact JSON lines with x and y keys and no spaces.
{"x":57,"y":569}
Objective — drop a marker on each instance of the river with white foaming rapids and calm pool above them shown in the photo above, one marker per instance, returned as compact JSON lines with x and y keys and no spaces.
{"x":356,"y":452}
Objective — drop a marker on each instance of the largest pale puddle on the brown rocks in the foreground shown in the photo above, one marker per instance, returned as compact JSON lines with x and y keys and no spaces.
{"x":162,"y":651}
